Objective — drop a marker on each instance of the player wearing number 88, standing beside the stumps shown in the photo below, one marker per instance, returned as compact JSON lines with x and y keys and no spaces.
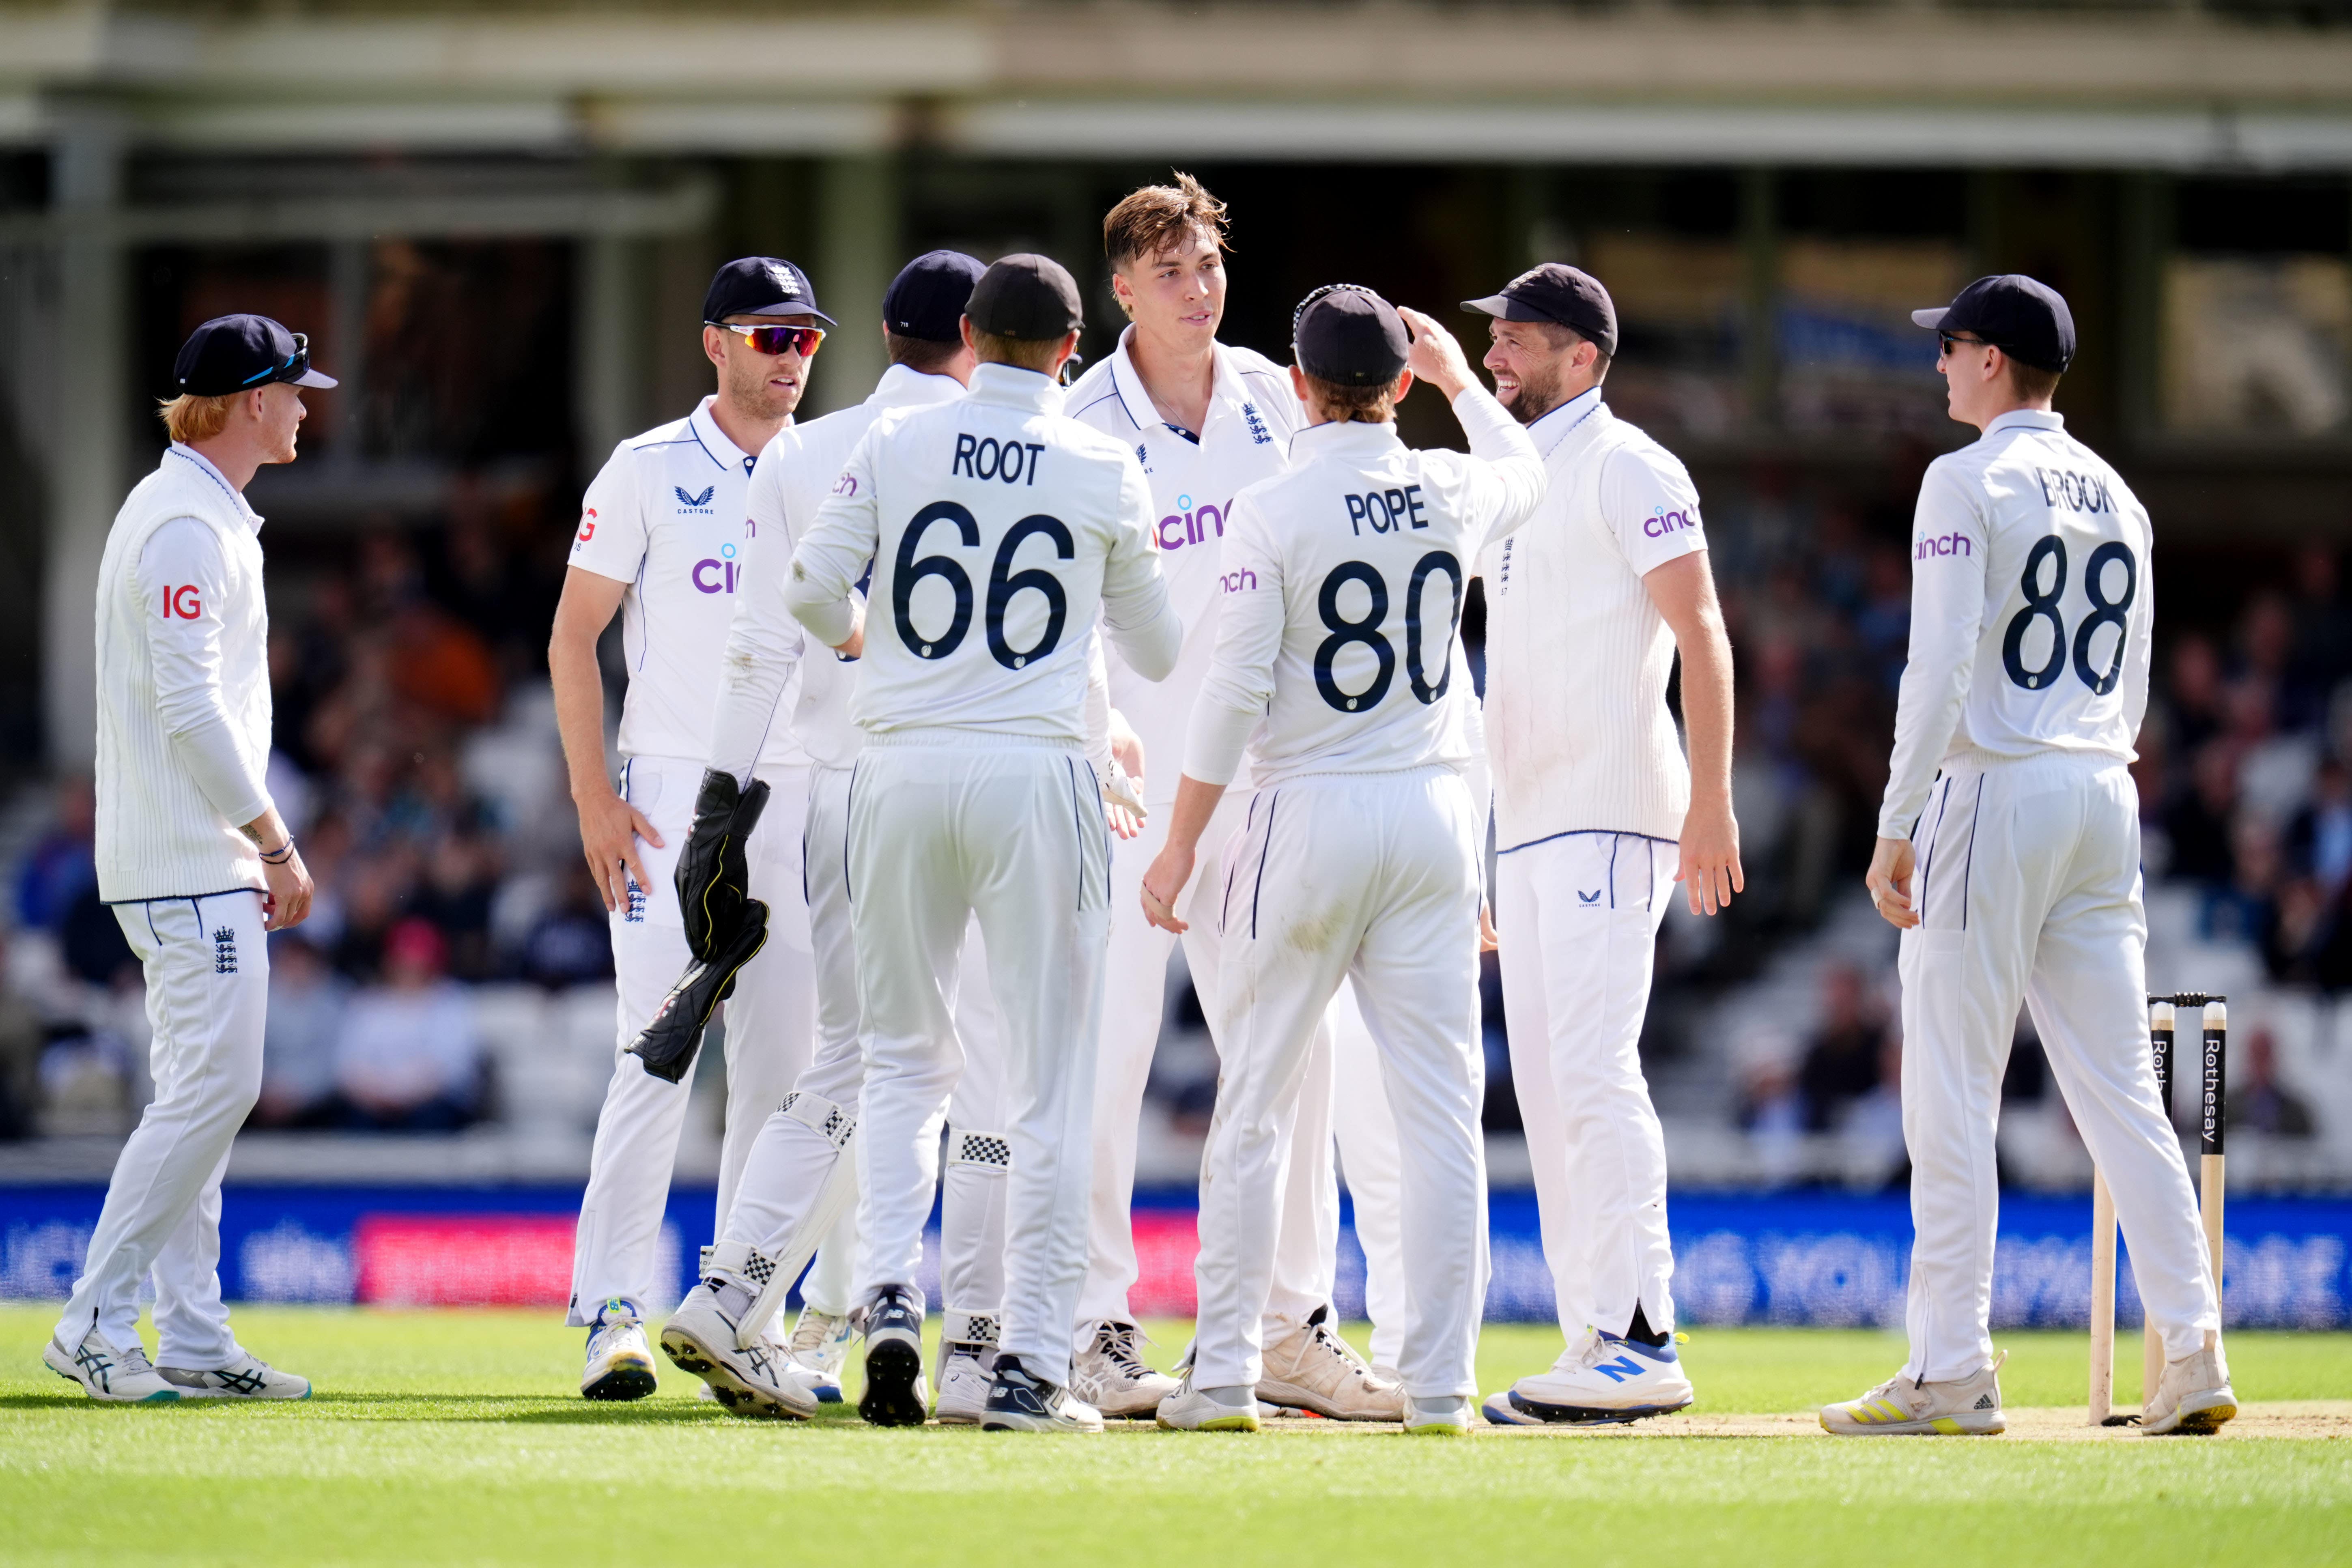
{"x":2010,"y":857}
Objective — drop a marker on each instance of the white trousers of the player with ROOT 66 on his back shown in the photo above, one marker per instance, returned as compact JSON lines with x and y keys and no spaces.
{"x":947,"y":826}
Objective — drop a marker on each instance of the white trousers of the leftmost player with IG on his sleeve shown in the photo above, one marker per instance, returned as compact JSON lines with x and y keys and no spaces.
{"x":208,"y":986}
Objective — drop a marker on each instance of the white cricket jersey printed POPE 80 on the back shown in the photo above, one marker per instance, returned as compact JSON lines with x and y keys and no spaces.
{"x":1344,"y":589}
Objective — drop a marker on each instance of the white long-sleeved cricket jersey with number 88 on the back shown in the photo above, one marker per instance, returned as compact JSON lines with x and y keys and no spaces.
{"x":2033,"y":603}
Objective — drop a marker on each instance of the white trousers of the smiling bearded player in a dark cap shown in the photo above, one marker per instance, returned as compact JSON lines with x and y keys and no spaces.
{"x":1577,"y":925}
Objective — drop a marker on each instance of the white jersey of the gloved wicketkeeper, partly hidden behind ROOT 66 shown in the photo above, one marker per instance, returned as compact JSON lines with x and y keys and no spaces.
{"x":775,"y":676}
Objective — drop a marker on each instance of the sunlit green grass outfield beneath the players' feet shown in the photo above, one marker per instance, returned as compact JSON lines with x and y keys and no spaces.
{"x":455,"y":1438}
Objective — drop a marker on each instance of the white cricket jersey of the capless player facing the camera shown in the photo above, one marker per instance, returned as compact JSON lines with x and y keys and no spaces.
{"x":1248,"y":438}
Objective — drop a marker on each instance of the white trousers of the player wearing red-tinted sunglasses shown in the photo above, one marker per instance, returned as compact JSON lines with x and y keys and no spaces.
{"x":770,"y":1026}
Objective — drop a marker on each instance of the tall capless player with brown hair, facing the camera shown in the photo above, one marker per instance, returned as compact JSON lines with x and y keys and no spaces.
{"x":1205,"y":422}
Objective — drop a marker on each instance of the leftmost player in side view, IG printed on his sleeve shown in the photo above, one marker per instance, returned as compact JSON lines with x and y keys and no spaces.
{"x":194,"y":859}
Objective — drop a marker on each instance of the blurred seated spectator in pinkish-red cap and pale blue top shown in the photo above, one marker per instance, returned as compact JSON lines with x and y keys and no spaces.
{"x":413,"y":1054}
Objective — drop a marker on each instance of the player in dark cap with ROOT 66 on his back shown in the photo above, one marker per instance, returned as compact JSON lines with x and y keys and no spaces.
{"x":998,"y":532}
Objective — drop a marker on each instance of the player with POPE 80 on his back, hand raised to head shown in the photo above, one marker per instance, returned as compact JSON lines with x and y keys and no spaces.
{"x":1361,"y":855}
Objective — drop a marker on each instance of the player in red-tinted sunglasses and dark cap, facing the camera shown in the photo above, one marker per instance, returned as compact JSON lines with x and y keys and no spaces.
{"x":662,"y":542}
